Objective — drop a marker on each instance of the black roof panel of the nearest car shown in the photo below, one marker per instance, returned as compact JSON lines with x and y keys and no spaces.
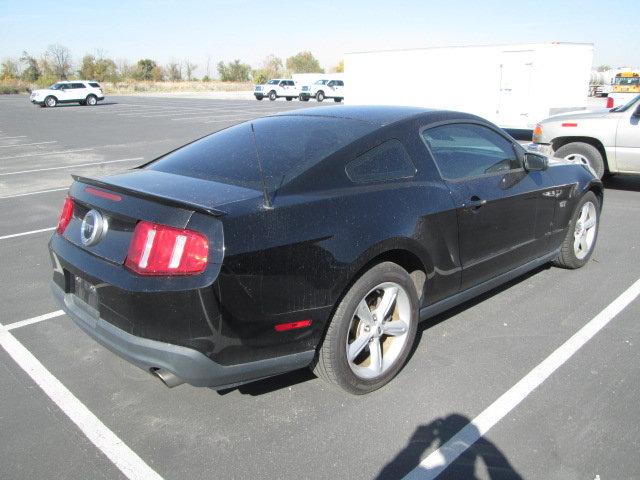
{"x":380,"y":115}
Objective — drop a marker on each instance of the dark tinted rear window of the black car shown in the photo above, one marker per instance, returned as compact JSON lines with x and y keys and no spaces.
{"x":229,"y":156}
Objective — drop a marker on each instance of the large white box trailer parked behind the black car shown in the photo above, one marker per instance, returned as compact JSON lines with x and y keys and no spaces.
{"x":514,"y":86}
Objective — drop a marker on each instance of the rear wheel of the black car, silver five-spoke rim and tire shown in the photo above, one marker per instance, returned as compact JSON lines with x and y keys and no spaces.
{"x":372,"y":331}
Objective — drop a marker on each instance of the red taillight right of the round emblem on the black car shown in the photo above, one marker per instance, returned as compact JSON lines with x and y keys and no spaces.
{"x":160,"y":250}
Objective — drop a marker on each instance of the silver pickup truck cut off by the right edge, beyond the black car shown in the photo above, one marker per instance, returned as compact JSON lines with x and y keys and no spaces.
{"x":606,"y":140}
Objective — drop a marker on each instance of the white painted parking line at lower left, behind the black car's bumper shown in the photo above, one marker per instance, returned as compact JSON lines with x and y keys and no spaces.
{"x":125,"y":459}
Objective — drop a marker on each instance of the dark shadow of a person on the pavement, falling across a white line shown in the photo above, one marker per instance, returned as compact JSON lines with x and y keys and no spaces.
{"x":436,"y":434}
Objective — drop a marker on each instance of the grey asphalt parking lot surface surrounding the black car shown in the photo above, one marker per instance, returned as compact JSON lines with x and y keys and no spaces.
{"x":69,"y":407}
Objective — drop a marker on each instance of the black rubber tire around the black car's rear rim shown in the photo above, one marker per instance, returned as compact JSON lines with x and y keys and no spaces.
{"x":332,"y":365}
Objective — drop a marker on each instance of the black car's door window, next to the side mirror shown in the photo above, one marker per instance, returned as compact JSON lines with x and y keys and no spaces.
{"x":464,"y":150}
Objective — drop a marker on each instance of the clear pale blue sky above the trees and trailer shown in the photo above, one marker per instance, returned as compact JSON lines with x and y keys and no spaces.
{"x":250,"y":30}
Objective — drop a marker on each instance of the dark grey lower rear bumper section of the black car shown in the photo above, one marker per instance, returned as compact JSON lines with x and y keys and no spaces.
{"x":187,"y":364}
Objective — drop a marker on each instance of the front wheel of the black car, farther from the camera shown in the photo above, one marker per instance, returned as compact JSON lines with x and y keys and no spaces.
{"x":582,"y":234}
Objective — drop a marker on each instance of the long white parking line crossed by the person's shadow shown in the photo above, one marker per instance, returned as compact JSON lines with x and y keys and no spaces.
{"x":439,"y":460}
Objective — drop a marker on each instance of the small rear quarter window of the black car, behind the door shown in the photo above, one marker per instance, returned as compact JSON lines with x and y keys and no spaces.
{"x":387,"y":161}
